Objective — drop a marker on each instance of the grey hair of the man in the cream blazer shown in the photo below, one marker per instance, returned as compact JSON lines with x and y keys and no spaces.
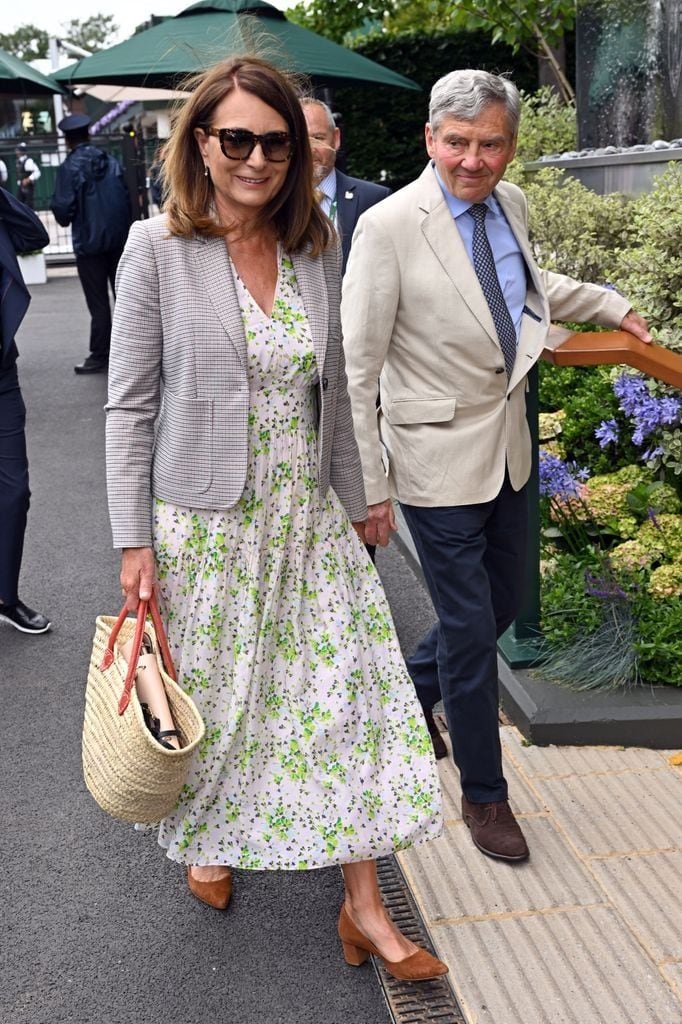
{"x":464,"y":95}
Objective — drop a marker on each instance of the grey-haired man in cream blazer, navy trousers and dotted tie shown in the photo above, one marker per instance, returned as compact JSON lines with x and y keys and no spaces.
{"x":443,"y":298}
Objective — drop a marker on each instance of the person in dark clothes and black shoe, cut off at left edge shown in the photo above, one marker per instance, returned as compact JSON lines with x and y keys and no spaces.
{"x":21,"y":232}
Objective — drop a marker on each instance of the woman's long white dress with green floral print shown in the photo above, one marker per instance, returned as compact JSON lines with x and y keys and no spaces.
{"x":316,"y":750}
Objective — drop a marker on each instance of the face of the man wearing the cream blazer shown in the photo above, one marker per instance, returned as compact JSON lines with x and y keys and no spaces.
{"x":473,"y":156}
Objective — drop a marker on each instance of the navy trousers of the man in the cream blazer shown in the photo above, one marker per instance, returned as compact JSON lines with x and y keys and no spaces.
{"x":473,"y":558}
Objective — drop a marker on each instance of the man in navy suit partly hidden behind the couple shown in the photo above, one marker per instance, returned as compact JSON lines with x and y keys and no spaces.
{"x":344,"y":199}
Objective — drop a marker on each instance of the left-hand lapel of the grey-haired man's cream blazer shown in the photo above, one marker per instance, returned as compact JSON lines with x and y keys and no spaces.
{"x":442,"y":235}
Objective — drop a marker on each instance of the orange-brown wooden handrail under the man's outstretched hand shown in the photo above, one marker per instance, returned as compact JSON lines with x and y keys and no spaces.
{"x":611,"y":349}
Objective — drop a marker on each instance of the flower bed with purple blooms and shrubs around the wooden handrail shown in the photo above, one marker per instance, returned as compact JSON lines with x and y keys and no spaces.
{"x":611,"y":440}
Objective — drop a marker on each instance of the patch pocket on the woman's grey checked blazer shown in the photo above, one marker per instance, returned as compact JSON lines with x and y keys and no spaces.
{"x":185,"y":438}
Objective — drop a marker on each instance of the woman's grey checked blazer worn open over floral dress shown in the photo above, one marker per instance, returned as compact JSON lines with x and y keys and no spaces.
{"x":179,"y":388}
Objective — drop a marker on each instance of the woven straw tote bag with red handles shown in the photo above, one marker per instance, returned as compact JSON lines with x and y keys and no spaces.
{"x":129,"y":773}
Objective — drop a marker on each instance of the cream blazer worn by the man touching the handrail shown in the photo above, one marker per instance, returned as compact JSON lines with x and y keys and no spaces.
{"x":414,"y":314}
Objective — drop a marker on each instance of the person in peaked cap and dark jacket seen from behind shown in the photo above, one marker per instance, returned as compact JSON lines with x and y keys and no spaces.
{"x":92,"y":195}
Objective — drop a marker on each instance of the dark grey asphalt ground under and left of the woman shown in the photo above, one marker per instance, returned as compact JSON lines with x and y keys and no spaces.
{"x":97,"y":924}
